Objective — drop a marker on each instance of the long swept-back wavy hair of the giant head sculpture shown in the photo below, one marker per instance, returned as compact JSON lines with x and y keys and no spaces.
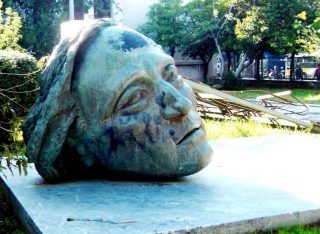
{"x":48,"y":123}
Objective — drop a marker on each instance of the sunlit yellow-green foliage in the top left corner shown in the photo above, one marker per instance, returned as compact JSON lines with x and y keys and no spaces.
{"x":10,"y":26}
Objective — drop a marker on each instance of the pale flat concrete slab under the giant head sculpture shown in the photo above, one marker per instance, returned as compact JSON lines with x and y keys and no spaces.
{"x":252,"y":183}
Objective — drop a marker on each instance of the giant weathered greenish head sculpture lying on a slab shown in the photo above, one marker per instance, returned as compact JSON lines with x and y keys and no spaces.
{"x":112,"y":104}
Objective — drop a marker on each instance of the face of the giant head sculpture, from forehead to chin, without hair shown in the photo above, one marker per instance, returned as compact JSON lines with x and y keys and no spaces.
{"x":137,"y":117}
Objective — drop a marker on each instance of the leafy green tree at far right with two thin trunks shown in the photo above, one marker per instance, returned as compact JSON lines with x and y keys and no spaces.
{"x":280,"y":27}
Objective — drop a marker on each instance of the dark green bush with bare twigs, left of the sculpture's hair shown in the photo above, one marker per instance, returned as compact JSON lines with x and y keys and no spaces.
{"x":18,"y":91}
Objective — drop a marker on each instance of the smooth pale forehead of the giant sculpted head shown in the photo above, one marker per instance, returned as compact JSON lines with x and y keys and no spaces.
{"x":115,"y":55}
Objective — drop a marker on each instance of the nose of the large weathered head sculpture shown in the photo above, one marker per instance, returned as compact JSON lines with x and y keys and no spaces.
{"x":174,"y":105}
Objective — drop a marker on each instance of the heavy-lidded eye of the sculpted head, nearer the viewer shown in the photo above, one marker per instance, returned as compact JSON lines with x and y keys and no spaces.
{"x":133,"y":100}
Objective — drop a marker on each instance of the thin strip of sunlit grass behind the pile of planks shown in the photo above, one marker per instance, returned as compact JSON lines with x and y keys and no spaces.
{"x":308,"y":96}
